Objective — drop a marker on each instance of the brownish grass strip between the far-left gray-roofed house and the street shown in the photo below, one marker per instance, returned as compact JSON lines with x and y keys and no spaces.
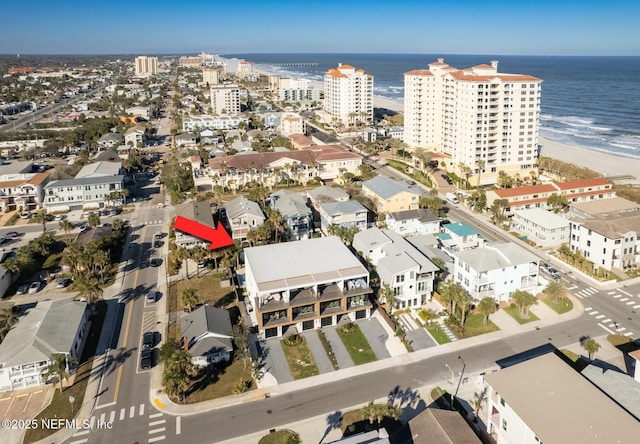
{"x":60,"y":406}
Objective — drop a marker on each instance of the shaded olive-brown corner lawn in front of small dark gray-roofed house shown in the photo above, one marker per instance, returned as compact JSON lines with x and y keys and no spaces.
{"x":217,"y":383}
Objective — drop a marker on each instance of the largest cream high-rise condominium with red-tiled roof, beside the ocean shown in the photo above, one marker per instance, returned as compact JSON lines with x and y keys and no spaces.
{"x":485,"y":121}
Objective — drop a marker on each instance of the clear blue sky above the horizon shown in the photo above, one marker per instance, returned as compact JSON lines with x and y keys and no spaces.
{"x":543,"y":27}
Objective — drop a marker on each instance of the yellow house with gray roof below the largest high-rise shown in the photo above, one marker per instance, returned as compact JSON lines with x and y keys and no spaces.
{"x":389,"y":195}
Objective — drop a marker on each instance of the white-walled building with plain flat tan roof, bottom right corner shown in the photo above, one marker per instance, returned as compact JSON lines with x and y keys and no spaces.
{"x":544,"y":400}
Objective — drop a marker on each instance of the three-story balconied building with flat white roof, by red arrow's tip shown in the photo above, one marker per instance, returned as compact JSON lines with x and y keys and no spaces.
{"x":305,"y":284}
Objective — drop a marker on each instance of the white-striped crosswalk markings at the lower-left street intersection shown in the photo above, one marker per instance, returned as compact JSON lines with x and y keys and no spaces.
{"x":157,"y":426}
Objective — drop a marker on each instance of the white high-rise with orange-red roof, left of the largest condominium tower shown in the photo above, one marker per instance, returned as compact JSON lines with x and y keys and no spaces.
{"x":348,"y":94}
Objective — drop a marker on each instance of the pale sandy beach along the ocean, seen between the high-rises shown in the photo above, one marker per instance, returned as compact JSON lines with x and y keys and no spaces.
{"x":607,"y":164}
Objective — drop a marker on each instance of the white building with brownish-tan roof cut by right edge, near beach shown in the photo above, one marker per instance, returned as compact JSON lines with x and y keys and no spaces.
{"x":609,"y":241}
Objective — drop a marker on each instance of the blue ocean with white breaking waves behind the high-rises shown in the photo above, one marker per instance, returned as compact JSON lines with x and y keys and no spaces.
{"x":593,"y":102}
